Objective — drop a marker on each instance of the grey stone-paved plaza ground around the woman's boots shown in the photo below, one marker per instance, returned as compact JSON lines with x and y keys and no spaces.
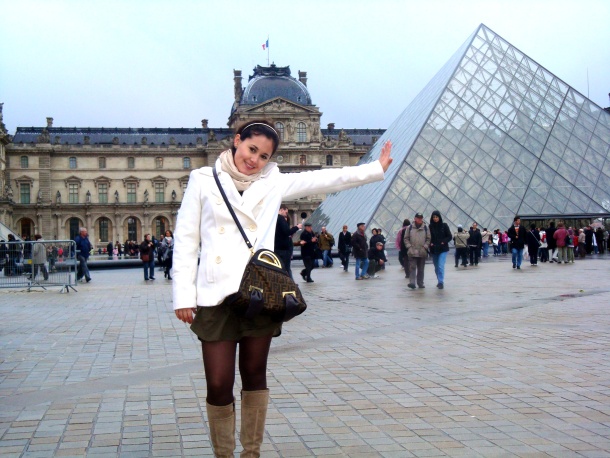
{"x":499,"y":363}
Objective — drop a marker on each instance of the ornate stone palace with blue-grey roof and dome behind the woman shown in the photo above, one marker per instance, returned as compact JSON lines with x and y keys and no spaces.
{"x":121,"y":183}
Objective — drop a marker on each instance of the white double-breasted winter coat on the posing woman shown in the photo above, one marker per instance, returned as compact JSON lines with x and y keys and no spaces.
{"x":204,"y":219}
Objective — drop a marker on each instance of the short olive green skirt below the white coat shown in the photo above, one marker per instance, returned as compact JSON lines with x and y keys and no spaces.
{"x":212,"y":324}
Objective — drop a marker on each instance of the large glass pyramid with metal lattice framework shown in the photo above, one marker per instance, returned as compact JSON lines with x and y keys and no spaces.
{"x":492,"y":135}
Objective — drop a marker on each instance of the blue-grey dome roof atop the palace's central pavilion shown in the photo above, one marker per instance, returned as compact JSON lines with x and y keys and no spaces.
{"x":270,"y":82}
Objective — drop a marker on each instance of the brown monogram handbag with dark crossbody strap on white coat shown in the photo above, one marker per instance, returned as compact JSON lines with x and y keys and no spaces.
{"x":265,"y":288}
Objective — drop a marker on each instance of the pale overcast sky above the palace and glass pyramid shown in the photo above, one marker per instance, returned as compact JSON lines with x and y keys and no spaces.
{"x":154,"y":63}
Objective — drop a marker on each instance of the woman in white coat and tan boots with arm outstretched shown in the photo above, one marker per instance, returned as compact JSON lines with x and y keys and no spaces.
{"x":256,"y":188}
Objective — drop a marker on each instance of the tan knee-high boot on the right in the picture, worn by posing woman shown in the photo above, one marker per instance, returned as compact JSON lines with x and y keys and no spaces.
{"x":253,"y":415}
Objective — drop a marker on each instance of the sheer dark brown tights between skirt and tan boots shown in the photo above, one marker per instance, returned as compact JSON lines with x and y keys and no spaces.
{"x":219,"y":366}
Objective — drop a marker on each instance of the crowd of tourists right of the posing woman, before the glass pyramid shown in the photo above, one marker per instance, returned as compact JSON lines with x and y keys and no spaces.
{"x":417,"y":241}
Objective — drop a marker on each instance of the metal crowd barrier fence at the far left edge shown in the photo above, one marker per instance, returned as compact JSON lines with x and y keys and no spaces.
{"x":38,"y":264}
